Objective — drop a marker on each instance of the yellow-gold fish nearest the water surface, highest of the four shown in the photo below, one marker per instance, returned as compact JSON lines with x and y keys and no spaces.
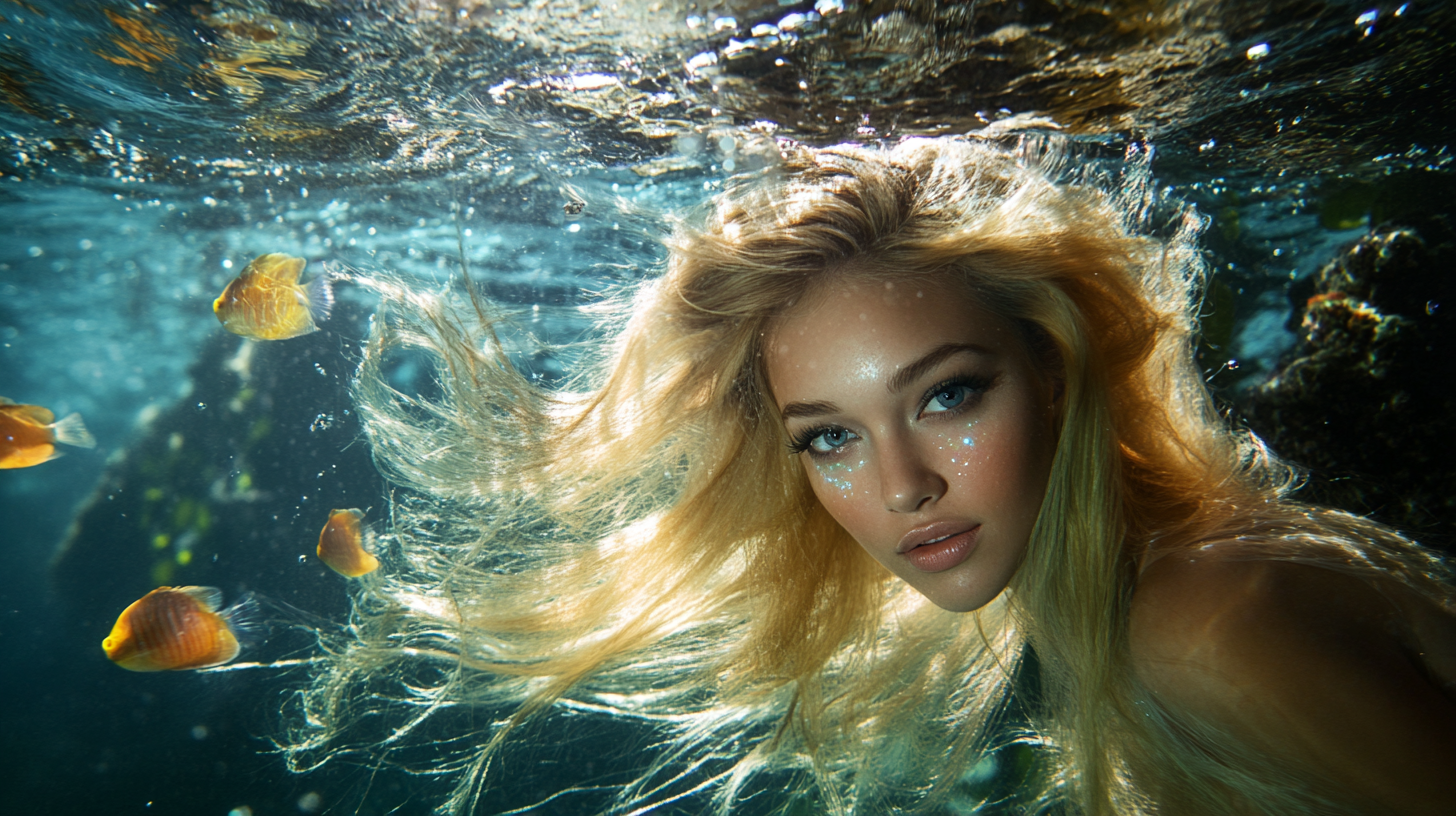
{"x":266,"y":302}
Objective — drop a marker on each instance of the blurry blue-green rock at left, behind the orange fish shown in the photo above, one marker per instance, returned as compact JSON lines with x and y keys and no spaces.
{"x":231,"y":486}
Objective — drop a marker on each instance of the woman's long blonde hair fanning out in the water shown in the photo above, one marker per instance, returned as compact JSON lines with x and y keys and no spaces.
{"x":640,"y":546}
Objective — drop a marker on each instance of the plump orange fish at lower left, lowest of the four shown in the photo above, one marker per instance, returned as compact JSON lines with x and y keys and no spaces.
{"x":175,"y":629}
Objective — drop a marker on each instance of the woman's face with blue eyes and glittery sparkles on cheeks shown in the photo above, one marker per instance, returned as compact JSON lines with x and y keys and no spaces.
{"x":925,"y":428}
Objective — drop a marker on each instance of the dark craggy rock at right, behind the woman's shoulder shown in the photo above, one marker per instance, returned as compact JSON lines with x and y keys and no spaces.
{"x":1365,"y":401}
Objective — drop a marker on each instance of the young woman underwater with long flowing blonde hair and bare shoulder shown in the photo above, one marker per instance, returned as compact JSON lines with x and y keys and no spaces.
{"x":892,"y":428}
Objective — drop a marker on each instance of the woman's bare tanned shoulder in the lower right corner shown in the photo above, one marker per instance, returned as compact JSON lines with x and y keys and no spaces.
{"x":1304,"y":664}
